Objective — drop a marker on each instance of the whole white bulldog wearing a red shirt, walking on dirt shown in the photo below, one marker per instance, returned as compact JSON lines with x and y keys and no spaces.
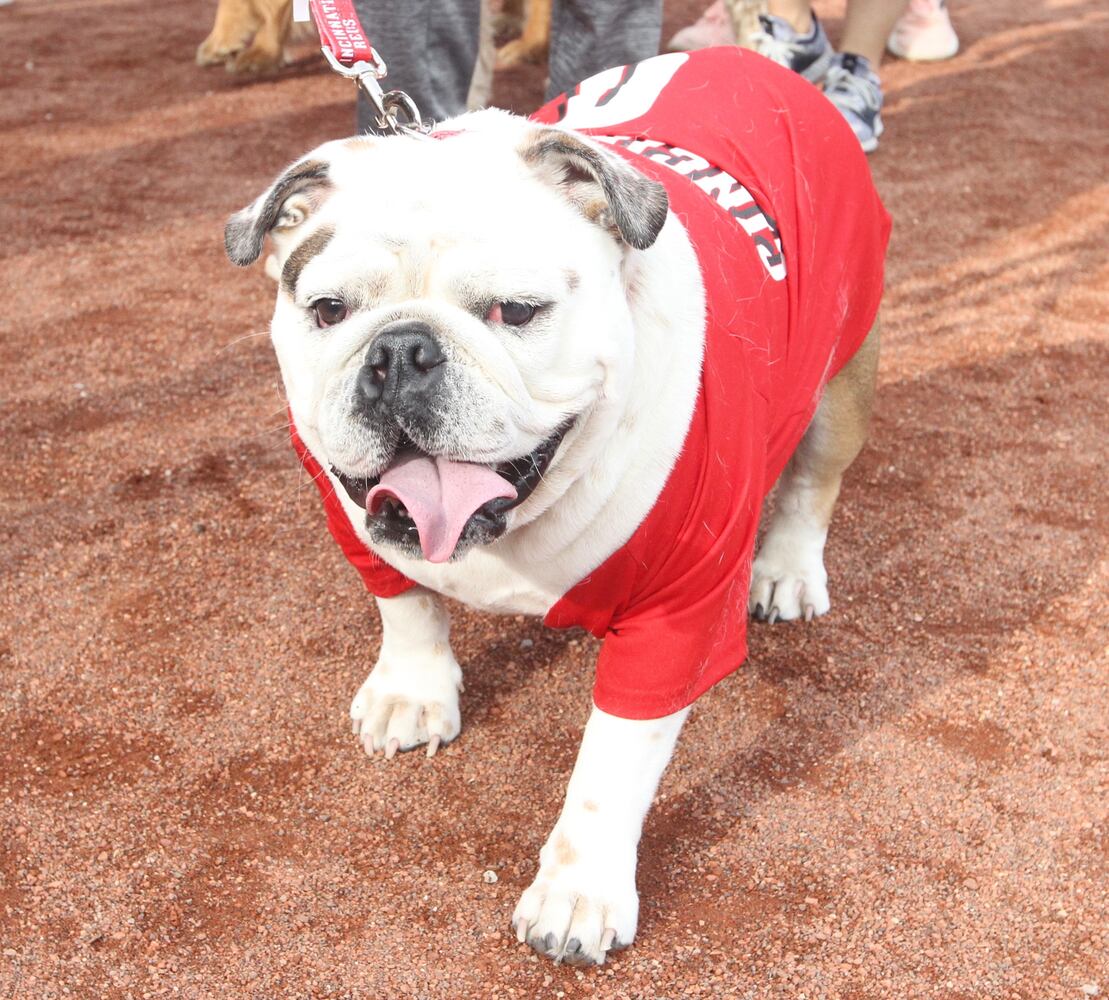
{"x":554,"y":366}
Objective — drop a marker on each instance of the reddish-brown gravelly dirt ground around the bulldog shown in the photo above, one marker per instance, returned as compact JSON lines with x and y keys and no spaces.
{"x":908,"y":800}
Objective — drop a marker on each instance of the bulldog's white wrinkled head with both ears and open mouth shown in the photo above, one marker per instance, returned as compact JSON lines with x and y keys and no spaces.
{"x":449,"y":310}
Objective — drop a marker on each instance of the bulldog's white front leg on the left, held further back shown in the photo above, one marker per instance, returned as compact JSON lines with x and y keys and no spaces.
{"x":411,"y":698}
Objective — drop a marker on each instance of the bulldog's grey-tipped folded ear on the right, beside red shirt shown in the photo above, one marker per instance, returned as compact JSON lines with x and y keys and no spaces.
{"x":632,"y":205}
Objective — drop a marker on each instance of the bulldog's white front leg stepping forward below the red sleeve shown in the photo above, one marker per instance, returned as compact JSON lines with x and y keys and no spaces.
{"x":584,"y":902}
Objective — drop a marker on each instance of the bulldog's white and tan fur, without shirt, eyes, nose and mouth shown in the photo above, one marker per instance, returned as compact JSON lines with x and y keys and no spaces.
{"x":431,"y":231}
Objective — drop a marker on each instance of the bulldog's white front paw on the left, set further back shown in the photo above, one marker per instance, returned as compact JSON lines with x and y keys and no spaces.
{"x":404,"y":706}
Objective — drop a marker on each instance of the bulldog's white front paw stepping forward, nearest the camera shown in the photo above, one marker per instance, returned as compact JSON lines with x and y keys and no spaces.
{"x":578,"y":909}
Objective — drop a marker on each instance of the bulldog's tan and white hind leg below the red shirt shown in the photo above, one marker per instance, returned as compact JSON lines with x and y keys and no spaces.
{"x":789,"y":580}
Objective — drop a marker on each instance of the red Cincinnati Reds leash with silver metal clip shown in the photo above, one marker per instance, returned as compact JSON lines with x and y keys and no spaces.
{"x":349,"y":52}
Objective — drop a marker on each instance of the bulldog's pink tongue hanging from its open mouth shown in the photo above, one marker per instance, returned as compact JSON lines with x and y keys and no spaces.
{"x":441,"y":496}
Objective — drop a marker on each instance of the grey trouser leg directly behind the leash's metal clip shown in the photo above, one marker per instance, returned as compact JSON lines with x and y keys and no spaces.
{"x":430,"y":47}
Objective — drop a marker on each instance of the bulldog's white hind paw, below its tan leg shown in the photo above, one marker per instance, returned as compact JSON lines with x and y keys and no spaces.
{"x":788,"y":579}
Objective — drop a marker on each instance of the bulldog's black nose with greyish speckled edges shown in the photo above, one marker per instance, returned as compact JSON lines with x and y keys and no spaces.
{"x":403,"y":366}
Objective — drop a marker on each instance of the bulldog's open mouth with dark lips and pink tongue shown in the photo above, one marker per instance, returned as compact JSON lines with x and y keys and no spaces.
{"x":434,"y":505}
